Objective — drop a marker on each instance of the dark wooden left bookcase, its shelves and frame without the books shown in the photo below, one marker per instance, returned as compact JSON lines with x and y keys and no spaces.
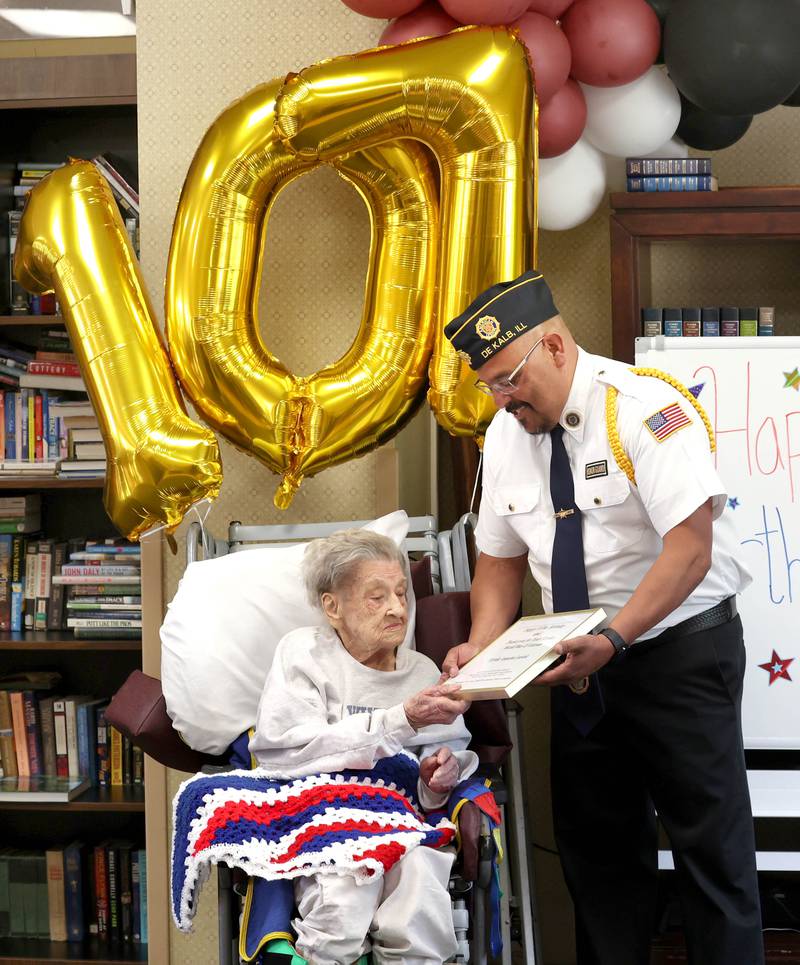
{"x":51,"y":108}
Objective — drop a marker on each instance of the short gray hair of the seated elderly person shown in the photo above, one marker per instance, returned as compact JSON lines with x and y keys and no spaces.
{"x":330,"y":563}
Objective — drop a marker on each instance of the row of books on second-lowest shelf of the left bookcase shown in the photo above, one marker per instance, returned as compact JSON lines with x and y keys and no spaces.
{"x":63,"y":737}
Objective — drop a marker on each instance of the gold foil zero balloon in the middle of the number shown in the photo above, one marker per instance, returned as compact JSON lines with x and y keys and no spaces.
{"x":297,"y":426}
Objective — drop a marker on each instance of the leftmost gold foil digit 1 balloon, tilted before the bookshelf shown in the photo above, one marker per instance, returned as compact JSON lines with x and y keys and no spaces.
{"x":72,"y":240}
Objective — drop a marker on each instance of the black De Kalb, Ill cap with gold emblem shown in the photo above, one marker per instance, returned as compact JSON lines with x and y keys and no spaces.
{"x":499,"y":315}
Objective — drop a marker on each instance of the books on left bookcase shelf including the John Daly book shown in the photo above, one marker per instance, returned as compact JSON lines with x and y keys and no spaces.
{"x":88,"y":586}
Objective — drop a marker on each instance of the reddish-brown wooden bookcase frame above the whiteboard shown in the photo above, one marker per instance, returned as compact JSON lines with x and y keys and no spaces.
{"x":639,"y":221}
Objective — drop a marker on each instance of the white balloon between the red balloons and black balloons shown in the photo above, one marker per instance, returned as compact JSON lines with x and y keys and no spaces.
{"x":634,"y":119}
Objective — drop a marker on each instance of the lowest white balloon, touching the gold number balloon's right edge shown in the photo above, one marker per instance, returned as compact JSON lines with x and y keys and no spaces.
{"x":571,"y":186}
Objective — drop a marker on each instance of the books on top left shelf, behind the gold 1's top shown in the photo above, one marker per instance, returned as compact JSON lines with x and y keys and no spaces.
{"x":29,"y":174}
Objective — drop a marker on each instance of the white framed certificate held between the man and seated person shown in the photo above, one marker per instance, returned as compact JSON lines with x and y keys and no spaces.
{"x":521,"y":653}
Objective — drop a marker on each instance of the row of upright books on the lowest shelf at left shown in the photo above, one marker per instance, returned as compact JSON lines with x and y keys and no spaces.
{"x":75,"y":891}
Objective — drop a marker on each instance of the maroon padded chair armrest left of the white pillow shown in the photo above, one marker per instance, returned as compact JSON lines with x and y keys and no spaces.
{"x":139,"y":711}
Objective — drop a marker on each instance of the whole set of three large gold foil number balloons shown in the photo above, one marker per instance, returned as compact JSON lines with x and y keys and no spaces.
{"x":468,"y":97}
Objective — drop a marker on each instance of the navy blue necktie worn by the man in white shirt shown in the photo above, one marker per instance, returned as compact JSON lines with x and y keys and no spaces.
{"x":568,"y":577}
